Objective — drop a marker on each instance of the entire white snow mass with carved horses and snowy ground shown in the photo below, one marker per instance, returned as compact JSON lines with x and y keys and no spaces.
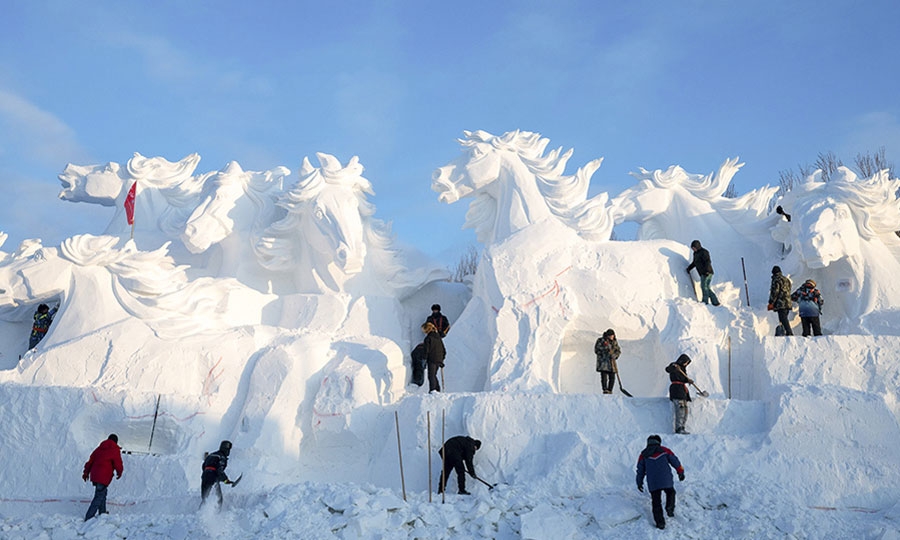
{"x":227,"y":317}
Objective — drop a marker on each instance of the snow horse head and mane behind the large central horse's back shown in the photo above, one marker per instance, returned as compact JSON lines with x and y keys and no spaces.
{"x":676,"y":205}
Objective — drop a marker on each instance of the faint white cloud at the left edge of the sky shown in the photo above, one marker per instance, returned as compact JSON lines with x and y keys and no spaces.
{"x":33,"y":136}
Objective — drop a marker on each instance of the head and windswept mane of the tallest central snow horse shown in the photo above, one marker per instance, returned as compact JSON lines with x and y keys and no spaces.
{"x":514,"y":185}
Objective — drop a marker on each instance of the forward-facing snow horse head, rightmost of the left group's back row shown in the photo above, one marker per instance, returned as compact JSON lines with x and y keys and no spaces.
{"x":329,"y":240}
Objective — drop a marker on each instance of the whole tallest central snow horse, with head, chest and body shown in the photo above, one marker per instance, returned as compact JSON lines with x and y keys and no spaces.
{"x":531,"y":314}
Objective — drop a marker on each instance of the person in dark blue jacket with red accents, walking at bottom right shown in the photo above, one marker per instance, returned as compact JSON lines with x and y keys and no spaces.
{"x":655,"y":462}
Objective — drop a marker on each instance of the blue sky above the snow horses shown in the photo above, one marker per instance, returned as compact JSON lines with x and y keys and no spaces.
{"x":642,"y":84}
